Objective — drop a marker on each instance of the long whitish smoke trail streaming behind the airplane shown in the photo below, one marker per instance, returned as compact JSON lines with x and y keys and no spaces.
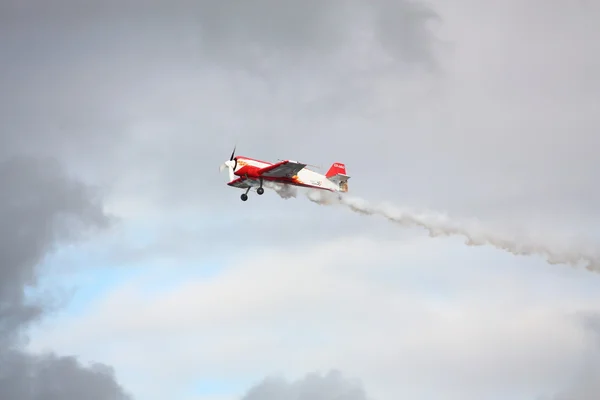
{"x":440,"y":225}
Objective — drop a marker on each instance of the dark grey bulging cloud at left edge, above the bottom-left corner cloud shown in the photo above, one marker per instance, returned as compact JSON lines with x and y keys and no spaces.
{"x":39,"y":206}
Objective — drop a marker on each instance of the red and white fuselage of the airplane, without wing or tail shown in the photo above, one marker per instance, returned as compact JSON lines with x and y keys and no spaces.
{"x":248,"y":167}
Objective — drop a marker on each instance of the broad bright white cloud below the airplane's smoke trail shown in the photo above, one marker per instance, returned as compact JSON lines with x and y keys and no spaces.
{"x":399,"y":314}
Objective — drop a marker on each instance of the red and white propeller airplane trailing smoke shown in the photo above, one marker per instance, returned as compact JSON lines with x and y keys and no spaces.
{"x":247,"y":173}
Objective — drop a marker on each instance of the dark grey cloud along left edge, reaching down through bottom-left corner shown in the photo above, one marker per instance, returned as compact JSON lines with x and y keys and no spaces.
{"x":40,"y":207}
